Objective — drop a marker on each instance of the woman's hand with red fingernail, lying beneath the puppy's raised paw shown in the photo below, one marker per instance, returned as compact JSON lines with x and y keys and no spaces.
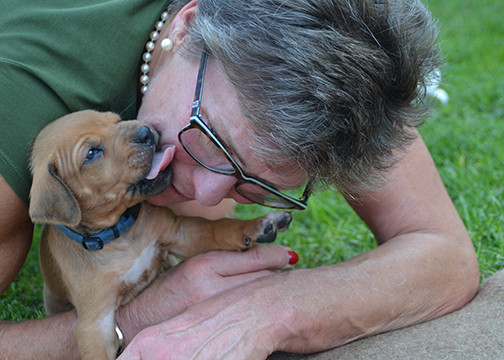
{"x":197,"y":279}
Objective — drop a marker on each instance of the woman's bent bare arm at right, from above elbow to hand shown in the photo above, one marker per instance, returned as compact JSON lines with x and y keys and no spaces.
{"x":424,"y":267}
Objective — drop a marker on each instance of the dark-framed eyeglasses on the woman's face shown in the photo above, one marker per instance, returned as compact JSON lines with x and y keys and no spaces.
{"x":205,"y":147}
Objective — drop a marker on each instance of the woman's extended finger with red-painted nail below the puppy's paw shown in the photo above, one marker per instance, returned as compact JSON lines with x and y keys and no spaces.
{"x":262,"y":257}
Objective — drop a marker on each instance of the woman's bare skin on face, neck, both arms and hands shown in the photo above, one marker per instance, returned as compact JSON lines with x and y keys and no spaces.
{"x":231,"y":305}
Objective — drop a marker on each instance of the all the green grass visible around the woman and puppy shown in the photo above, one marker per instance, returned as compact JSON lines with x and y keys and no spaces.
{"x":465,"y":138}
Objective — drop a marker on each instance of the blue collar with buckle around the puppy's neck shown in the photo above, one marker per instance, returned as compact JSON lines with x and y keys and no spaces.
{"x":97,"y":241}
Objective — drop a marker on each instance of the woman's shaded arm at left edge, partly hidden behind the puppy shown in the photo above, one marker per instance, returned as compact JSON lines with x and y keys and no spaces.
{"x":34,"y":339}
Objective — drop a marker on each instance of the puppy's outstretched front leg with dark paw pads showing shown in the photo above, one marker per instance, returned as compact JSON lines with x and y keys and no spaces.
{"x":196,"y":235}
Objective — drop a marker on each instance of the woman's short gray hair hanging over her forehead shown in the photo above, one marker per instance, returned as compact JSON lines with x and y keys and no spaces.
{"x":334,"y":86}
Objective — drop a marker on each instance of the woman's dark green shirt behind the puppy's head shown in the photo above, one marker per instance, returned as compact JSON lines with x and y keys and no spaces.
{"x":60,"y":56}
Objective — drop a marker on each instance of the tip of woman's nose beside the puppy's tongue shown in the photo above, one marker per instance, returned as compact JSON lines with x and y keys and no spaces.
{"x":210,"y":188}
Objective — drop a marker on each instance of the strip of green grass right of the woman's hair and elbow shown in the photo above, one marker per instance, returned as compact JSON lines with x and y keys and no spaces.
{"x":466,"y":136}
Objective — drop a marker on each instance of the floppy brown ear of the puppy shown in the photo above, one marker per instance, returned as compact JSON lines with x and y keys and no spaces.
{"x":51,"y":201}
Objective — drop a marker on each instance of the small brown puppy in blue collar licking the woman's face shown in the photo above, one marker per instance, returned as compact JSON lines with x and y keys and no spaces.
{"x":89,"y":170}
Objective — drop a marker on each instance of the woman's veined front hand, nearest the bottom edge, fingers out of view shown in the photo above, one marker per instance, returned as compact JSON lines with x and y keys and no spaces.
{"x":242,"y":323}
